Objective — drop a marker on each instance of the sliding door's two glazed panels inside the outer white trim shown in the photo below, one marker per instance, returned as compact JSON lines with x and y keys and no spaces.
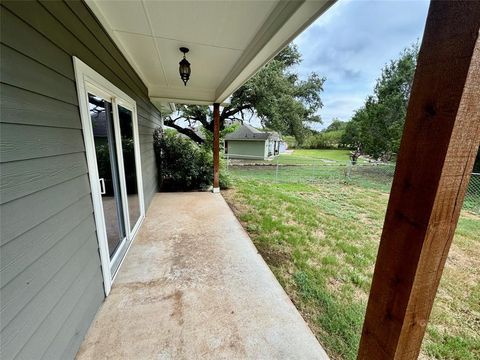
{"x":116,"y":153}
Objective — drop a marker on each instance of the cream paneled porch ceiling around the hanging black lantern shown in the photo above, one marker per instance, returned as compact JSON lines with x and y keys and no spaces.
{"x":228,"y":41}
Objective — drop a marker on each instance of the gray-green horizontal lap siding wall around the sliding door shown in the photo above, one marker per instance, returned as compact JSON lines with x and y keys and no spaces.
{"x":50,"y":275}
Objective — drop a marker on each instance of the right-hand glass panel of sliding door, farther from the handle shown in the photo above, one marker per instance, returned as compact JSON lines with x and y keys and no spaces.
{"x":130,"y":166}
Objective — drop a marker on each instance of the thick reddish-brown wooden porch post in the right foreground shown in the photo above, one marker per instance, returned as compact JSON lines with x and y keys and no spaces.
{"x":439,"y":144}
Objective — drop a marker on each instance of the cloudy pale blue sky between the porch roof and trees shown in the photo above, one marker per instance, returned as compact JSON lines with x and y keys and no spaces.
{"x":349,"y":45}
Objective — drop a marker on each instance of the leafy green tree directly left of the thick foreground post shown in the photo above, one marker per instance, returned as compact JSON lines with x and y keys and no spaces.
{"x":377,"y":127}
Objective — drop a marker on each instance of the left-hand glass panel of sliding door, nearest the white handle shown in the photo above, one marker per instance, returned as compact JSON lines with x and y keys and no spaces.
{"x":106,"y":154}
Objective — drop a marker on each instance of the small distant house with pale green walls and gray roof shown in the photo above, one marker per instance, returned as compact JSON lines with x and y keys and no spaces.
{"x":250,"y":143}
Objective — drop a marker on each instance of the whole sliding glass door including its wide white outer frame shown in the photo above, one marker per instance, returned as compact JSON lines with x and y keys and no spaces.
{"x":110,"y":132}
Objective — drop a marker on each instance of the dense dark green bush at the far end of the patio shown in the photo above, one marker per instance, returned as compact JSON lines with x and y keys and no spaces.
{"x":182,"y":164}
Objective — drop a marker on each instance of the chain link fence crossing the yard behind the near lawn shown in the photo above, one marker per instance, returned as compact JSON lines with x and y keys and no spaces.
{"x":311,"y":170}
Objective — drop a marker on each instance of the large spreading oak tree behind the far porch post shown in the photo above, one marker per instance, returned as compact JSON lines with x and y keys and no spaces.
{"x":276,"y":95}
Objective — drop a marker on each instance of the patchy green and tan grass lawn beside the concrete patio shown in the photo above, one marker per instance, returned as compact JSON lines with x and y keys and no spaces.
{"x":320,"y":239}
